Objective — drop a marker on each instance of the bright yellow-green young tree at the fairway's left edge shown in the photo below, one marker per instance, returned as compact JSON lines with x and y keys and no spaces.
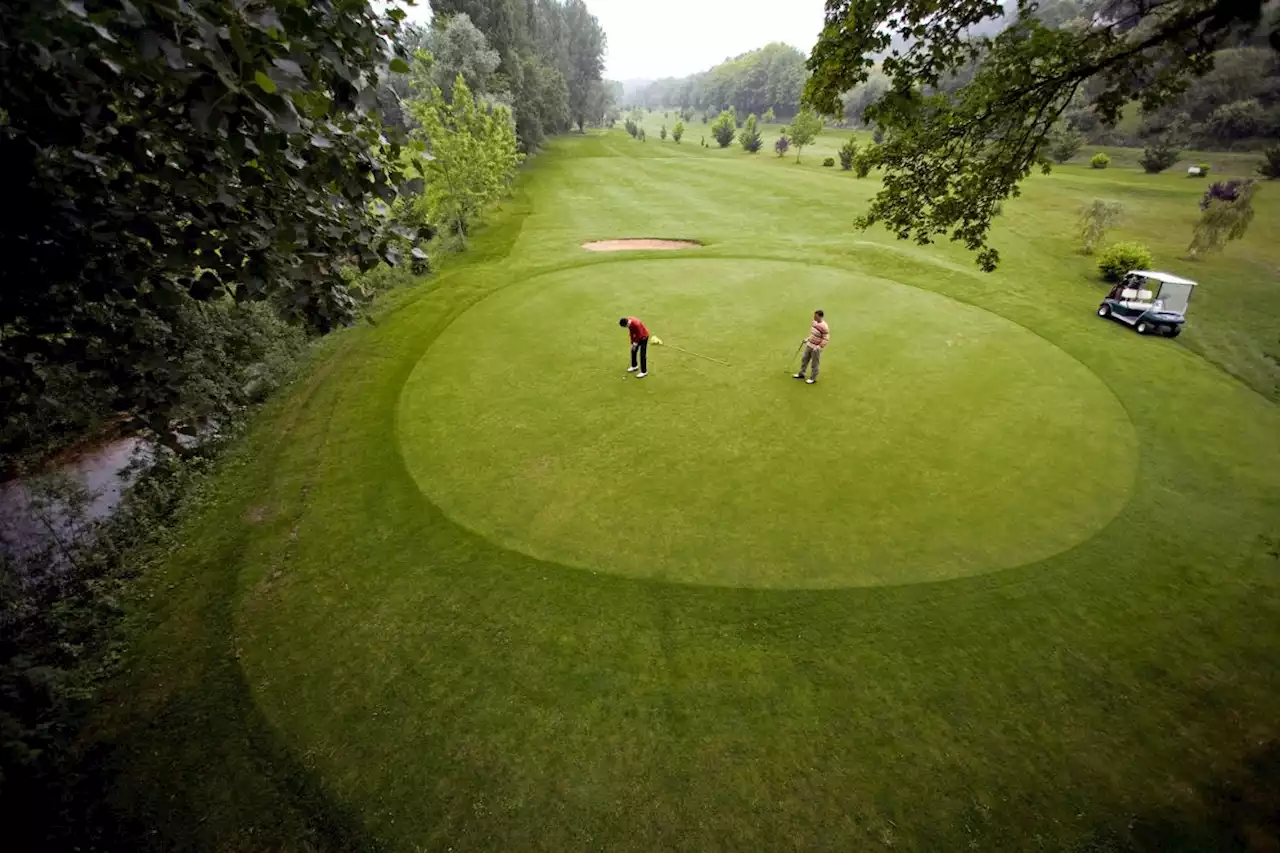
{"x":473,"y":157}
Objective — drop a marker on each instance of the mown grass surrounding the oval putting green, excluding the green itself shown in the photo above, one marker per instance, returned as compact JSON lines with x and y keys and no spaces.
{"x":331,"y":663}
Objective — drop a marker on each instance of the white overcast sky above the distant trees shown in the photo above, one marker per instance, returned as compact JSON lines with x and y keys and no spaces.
{"x":652,"y":39}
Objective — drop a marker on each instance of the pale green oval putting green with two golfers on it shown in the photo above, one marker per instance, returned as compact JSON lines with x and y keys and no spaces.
{"x":943,"y":441}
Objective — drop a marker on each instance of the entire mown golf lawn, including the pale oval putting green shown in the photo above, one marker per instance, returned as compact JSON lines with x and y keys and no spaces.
{"x":335,"y":662}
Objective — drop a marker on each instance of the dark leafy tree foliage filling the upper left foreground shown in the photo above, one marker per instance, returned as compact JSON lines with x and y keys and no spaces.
{"x":171,"y":153}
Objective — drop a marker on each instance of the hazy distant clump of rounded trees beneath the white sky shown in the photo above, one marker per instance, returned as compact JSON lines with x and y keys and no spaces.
{"x":771,"y":77}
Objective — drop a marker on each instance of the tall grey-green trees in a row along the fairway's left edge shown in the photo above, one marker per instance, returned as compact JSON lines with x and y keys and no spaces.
{"x":550,"y":56}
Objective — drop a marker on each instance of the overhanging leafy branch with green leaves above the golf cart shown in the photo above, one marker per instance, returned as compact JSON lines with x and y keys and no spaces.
{"x":952,"y":158}
